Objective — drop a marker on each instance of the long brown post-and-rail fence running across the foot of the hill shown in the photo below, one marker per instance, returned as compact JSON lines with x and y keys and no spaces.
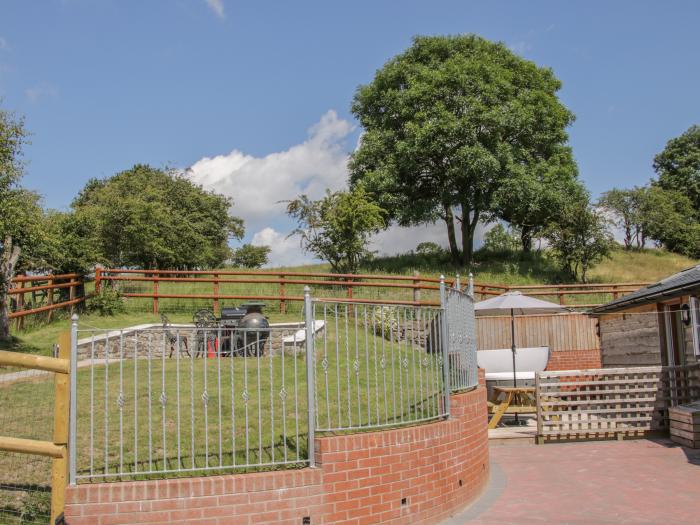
{"x":286,"y":287}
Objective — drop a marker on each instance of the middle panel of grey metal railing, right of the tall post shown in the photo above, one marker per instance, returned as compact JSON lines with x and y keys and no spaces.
{"x":378,"y":365}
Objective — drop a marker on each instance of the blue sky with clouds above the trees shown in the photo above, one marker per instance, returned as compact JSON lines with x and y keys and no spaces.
{"x":104,"y":84}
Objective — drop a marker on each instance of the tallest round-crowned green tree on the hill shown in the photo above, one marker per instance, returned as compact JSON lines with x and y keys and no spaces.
{"x":447,"y":123}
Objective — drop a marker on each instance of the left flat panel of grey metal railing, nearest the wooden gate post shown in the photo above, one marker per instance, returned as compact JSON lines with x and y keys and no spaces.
{"x":161,"y":401}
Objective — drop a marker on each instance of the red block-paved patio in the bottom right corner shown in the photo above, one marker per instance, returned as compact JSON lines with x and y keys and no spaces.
{"x":628,"y":482}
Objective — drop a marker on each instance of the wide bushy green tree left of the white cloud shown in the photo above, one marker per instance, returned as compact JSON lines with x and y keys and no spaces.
{"x":151,"y":218}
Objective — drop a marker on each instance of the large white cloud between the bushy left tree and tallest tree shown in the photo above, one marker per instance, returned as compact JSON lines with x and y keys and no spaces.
{"x":258,"y":184}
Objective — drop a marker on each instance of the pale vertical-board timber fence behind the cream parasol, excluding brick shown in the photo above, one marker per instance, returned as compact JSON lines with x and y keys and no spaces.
{"x":572,"y":331}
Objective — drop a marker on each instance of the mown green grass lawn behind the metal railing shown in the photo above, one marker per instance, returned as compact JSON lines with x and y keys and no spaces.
{"x":255,"y":414}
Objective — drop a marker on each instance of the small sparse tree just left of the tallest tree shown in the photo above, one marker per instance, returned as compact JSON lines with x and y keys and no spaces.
{"x":338,"y":227}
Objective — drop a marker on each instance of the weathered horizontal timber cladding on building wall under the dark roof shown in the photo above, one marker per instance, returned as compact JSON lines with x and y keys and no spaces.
{"x":631,"y":338}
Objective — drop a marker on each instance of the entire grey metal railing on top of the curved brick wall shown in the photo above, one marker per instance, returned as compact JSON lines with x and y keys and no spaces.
{"x":182,"y":400}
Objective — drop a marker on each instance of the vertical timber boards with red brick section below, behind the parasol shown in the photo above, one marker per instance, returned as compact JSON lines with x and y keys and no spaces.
{"x":572,"y":338}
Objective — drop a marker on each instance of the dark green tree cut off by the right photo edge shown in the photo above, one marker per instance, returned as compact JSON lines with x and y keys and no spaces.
{"x":678,"y":166}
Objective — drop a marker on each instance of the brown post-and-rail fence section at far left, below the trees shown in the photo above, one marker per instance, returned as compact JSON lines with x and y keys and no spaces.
{"x":46,"y":293}
